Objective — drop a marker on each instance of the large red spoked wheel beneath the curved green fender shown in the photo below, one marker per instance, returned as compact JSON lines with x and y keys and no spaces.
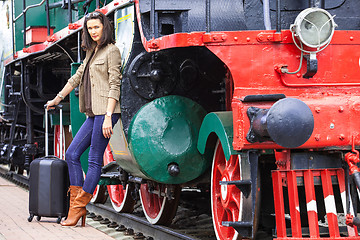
{"x":226,"y":203}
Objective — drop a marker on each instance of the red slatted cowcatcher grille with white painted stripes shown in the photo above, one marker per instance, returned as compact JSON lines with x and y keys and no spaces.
{"x":290,"y":180}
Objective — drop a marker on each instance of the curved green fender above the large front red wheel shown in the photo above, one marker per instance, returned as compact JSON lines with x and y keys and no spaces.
{"x":220,"y":123}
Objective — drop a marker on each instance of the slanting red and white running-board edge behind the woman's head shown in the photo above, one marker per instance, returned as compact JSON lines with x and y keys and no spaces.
{"x":63,"y":33}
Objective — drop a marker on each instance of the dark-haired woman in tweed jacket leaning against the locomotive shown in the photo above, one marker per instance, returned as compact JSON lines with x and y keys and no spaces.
{"x":98,"y":79}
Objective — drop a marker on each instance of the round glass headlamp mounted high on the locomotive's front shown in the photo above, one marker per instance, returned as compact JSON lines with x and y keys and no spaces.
{"x":314,"y":27}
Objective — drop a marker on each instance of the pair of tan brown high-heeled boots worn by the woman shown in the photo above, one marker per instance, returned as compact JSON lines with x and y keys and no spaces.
{"x":78,"y":209}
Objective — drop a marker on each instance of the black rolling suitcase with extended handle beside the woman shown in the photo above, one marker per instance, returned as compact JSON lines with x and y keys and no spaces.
{"x":49,"y":183}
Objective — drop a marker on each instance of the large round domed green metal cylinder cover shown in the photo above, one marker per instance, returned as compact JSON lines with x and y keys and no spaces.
{"x":165,"y":131}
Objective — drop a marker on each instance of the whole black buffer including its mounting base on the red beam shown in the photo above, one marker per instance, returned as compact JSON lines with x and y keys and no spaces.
{"x":289,"y":123}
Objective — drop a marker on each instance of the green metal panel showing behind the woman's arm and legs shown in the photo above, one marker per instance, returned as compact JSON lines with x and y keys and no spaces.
{"x":77,"y":119}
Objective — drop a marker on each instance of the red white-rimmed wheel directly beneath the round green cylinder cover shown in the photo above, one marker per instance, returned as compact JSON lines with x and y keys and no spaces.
{"x":157,"y":208}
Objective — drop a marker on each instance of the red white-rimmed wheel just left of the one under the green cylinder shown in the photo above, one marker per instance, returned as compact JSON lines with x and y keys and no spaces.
{"x":120,"y":198}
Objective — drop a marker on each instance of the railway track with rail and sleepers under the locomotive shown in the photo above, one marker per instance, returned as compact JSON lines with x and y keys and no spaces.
{"x":192,"y":222}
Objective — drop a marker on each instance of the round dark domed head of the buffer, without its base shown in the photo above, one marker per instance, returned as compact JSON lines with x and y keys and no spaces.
{"x":290,"y":122}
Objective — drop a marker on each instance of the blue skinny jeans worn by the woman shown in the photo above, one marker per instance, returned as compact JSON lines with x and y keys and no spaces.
{"x":90,"y":134}
